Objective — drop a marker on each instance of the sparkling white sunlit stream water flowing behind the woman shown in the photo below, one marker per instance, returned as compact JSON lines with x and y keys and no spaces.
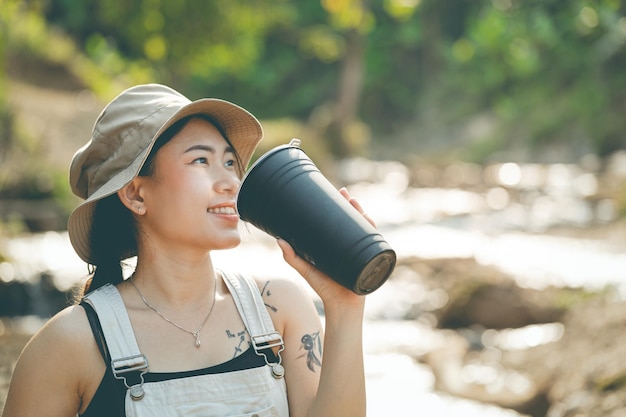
{"x":489,"y":225}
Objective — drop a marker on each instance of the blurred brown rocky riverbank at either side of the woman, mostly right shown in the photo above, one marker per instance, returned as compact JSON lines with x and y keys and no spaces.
{"x":477,"y":309}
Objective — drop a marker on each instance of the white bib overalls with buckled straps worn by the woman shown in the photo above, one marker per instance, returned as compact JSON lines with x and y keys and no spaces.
{"x":257,"y":392}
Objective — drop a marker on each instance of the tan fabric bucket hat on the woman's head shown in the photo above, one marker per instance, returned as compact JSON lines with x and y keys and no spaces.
{"x":123,"y":136}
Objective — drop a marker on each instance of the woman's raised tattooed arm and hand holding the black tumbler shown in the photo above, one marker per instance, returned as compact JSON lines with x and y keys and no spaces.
{"x":334,"y":386}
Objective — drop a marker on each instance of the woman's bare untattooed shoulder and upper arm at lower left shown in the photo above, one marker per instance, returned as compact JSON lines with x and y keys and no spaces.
{"x":55,"y":369}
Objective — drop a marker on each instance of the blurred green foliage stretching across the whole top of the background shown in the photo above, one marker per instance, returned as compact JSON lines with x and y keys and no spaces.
{"x":546,"y":71}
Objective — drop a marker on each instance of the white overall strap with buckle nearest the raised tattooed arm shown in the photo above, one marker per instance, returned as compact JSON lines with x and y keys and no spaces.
{"x":253,"y":312}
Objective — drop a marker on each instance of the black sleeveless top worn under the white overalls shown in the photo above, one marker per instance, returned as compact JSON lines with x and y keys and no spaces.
{"x":108,"y":400}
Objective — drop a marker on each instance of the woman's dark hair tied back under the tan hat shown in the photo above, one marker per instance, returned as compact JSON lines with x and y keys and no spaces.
{"x":114,"y":229}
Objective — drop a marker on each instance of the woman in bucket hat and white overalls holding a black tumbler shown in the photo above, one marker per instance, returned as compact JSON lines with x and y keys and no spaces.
{"x":178,"y":337}
